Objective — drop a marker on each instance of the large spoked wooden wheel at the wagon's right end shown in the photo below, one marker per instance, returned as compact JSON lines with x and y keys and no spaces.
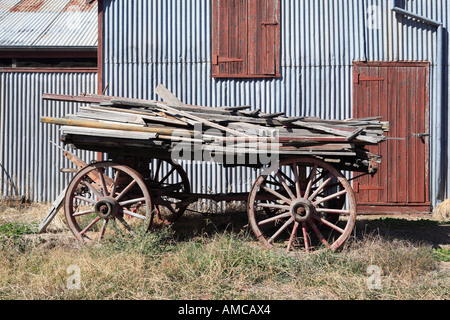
{"x":301,"y":206}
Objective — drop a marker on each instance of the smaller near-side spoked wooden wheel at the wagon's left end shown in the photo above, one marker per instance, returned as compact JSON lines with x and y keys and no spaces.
{"x":106,"y":197}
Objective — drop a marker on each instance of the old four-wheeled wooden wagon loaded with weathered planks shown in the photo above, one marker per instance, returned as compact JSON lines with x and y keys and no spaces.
{"x":302,"y":200}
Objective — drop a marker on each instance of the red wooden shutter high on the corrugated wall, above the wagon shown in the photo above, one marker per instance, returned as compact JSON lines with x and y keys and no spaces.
{"x":245,"y":38}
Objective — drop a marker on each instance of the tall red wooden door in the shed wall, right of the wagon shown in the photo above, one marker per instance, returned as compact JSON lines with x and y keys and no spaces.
{"x":398,"y":92}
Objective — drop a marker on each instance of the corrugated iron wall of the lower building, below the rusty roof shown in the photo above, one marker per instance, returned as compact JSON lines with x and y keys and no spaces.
{"x":29,"y":163}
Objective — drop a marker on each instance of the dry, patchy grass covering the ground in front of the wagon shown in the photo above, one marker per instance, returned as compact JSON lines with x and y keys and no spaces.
{"x":223,"y":266}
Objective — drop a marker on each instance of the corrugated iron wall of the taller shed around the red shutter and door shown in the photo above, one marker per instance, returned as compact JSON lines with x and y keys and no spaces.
{"x":168,"y":41}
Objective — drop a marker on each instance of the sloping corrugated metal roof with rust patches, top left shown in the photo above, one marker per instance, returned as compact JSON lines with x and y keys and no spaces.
{"x":48,"y":23}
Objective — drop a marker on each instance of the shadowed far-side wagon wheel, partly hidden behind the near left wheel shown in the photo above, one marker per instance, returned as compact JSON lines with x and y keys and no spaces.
{"x":166,"y":180}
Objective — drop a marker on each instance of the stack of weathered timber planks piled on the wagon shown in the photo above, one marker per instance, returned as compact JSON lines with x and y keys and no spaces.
{"x":119,"y":125}
